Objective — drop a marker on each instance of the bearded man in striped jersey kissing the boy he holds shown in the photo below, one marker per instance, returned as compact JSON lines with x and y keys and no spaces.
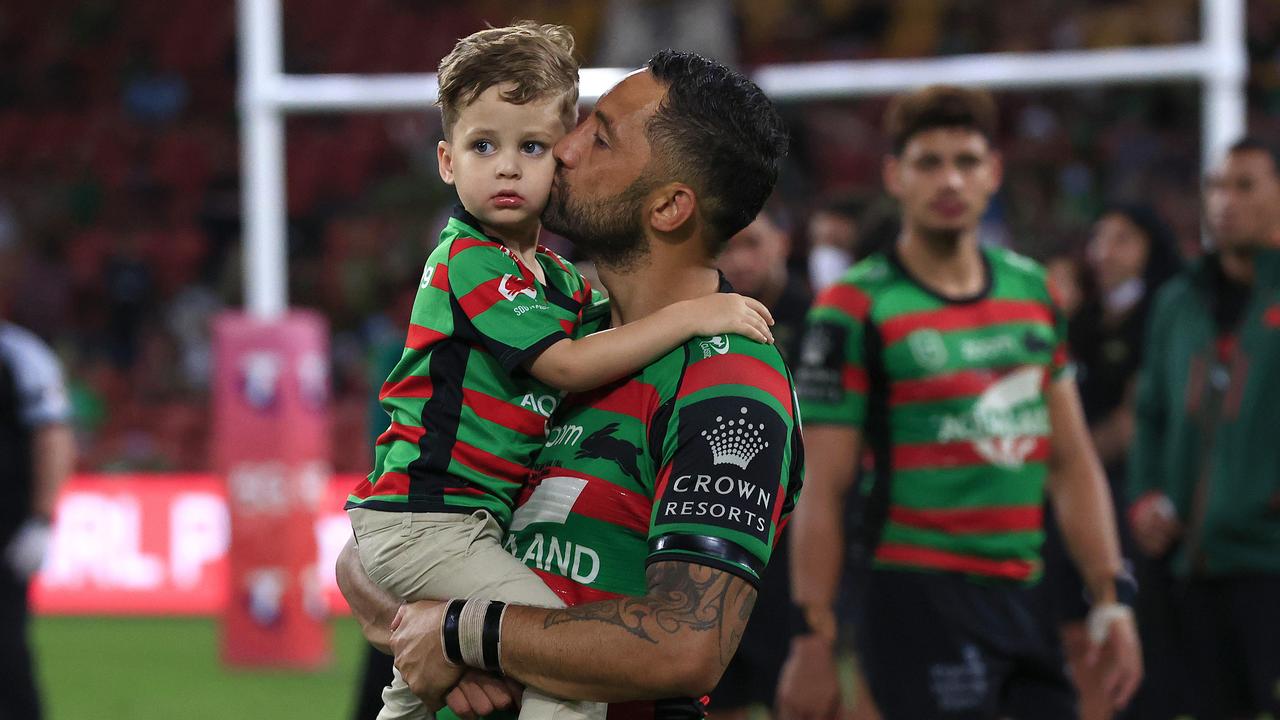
{"x":656,"y":500}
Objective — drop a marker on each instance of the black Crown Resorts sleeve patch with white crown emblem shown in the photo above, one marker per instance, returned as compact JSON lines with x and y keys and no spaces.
{"x":729,"y":470}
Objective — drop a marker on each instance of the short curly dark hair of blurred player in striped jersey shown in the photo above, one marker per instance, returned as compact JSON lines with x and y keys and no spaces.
{"x":940,"y":107}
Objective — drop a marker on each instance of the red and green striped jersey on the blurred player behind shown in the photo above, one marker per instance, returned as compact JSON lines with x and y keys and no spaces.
{"x":950,"y":398}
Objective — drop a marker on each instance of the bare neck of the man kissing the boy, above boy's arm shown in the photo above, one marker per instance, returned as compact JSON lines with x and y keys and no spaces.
{"x":653,"y":284}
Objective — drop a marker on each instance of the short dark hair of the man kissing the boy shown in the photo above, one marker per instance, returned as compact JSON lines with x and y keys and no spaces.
{"x":721,"y":133}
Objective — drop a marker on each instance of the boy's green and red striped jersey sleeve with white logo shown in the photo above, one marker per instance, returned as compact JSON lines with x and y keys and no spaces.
{"x":504,"y":303}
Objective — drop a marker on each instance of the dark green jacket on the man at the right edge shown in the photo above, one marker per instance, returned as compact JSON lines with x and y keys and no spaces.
{"x":1209,"y":423}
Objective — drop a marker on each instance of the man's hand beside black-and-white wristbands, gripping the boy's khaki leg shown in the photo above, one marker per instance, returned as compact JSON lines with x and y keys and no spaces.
{"x":419,"y":657}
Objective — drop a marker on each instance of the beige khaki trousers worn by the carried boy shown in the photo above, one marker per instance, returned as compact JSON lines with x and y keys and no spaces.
{"x":442,"y":557}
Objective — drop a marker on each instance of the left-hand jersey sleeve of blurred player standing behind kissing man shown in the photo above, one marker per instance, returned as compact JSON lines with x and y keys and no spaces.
{"x":831,"y":376}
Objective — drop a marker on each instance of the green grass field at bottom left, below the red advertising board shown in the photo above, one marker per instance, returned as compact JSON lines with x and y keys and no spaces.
{"x":153,"y":669}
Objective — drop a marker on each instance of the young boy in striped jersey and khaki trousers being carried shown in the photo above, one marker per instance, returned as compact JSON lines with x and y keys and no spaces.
{"x":492,"y":345}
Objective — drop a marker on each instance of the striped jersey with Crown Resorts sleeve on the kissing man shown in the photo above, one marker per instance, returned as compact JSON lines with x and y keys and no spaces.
{"x":697,"y":458}
